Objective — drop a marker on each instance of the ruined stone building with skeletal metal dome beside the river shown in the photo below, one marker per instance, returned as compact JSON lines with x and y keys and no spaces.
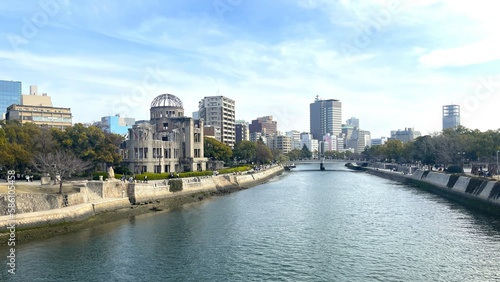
{"x":168,"y":142}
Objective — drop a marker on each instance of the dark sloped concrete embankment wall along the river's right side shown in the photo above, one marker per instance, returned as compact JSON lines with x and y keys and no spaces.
{"x":483,"y":194}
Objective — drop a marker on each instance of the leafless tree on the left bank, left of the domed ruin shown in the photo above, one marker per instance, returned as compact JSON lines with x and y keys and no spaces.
{"x":60,"y":165}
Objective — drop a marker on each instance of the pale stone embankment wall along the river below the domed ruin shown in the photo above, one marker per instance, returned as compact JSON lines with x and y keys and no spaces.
{"x":99,"y":197}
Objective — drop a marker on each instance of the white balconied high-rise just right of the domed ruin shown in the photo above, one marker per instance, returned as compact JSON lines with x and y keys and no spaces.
{"x":219,"y":111}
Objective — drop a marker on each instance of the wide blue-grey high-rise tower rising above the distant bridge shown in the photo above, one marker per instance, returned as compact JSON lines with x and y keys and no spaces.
{"x":325,"y":117}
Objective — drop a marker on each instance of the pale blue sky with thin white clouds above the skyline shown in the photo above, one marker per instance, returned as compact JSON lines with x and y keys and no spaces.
{"x":393,"y":64}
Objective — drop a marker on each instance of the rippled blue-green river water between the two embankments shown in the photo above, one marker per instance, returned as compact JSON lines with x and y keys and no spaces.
{"x":305,"y":225}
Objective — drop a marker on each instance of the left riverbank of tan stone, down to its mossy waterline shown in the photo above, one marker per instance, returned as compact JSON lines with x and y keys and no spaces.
{"x":142,"y":198}
